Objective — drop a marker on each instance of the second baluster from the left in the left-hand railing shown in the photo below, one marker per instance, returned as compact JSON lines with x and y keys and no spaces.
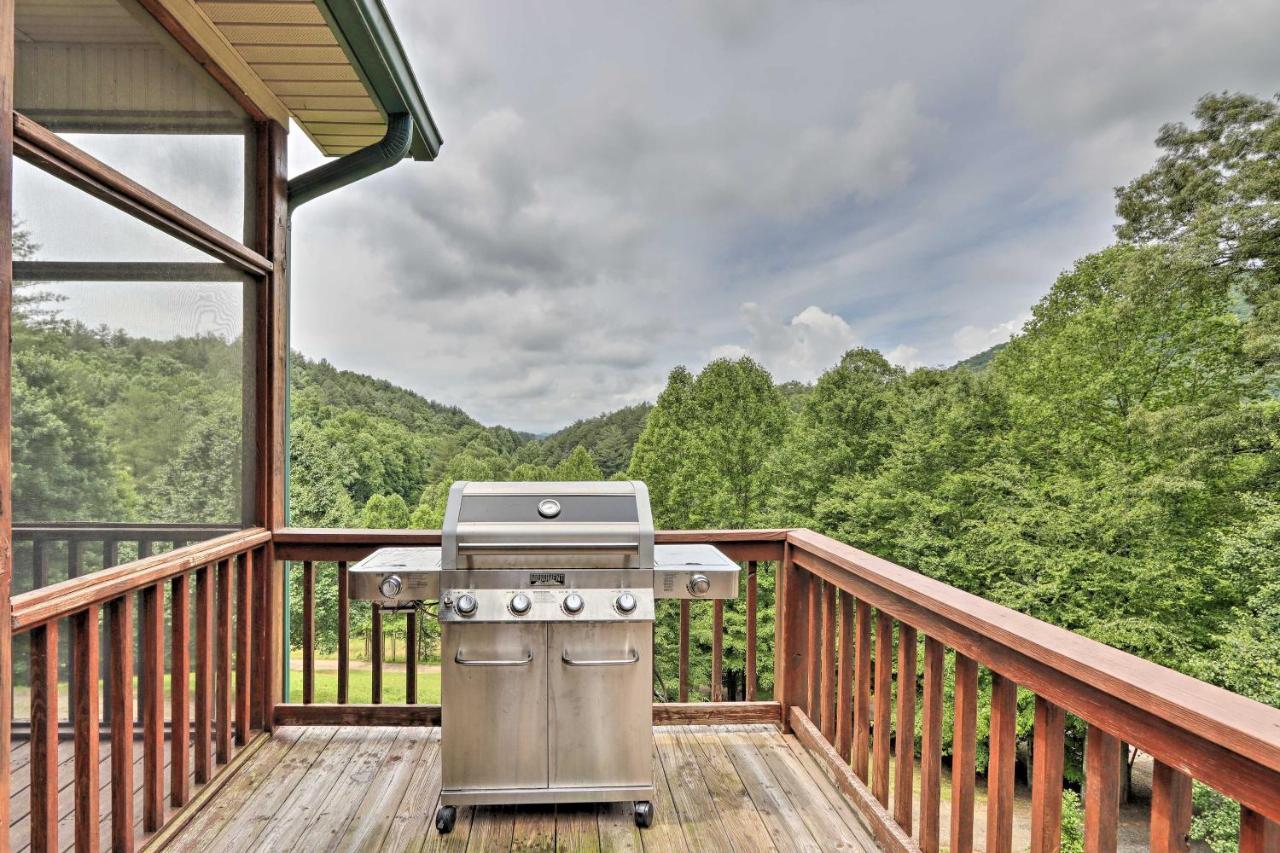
{"x":84,"y":688}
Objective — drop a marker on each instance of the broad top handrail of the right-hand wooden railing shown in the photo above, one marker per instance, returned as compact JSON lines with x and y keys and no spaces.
{"x":1222,"y":738}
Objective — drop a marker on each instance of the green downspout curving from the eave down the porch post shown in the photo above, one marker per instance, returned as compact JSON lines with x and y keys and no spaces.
{"x":394,"y":148}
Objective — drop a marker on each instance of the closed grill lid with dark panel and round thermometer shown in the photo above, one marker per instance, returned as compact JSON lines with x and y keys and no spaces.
{"x":533,"y":526}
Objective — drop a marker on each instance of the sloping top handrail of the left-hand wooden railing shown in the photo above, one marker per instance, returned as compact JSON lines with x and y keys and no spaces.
{"x":75,"y":595}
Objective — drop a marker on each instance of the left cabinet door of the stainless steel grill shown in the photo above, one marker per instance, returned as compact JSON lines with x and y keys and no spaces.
{"x":495,"y":706}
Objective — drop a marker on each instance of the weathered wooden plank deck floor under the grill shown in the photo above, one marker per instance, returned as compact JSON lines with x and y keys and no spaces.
{"x":720,"y":788}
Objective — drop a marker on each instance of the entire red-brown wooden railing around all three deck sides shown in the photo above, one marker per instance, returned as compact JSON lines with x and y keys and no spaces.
{"x":848,"y":683}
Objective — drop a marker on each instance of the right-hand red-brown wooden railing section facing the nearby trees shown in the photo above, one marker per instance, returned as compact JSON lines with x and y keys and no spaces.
{"x":836,"y":686}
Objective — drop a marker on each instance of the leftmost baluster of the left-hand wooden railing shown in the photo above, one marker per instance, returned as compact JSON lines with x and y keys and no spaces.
{"x":44,"y":738}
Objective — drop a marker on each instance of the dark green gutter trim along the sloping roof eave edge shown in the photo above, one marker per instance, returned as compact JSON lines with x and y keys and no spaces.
{"x":367,"y":35}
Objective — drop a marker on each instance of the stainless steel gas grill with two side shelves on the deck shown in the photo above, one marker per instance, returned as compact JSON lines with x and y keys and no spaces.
{"x":547,"y":605}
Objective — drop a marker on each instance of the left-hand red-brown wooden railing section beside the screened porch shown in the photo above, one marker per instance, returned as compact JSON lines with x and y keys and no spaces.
{"x":202,"y":728}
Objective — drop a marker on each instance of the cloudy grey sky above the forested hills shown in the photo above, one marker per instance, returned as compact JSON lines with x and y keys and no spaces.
{"x":627,"y":188}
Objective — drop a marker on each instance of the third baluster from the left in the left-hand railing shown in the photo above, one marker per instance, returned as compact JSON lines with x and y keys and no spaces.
{"x":120,"y":628}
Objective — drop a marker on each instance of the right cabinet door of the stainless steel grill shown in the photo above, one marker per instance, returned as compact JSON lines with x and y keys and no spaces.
{"x":601,"y":705}
